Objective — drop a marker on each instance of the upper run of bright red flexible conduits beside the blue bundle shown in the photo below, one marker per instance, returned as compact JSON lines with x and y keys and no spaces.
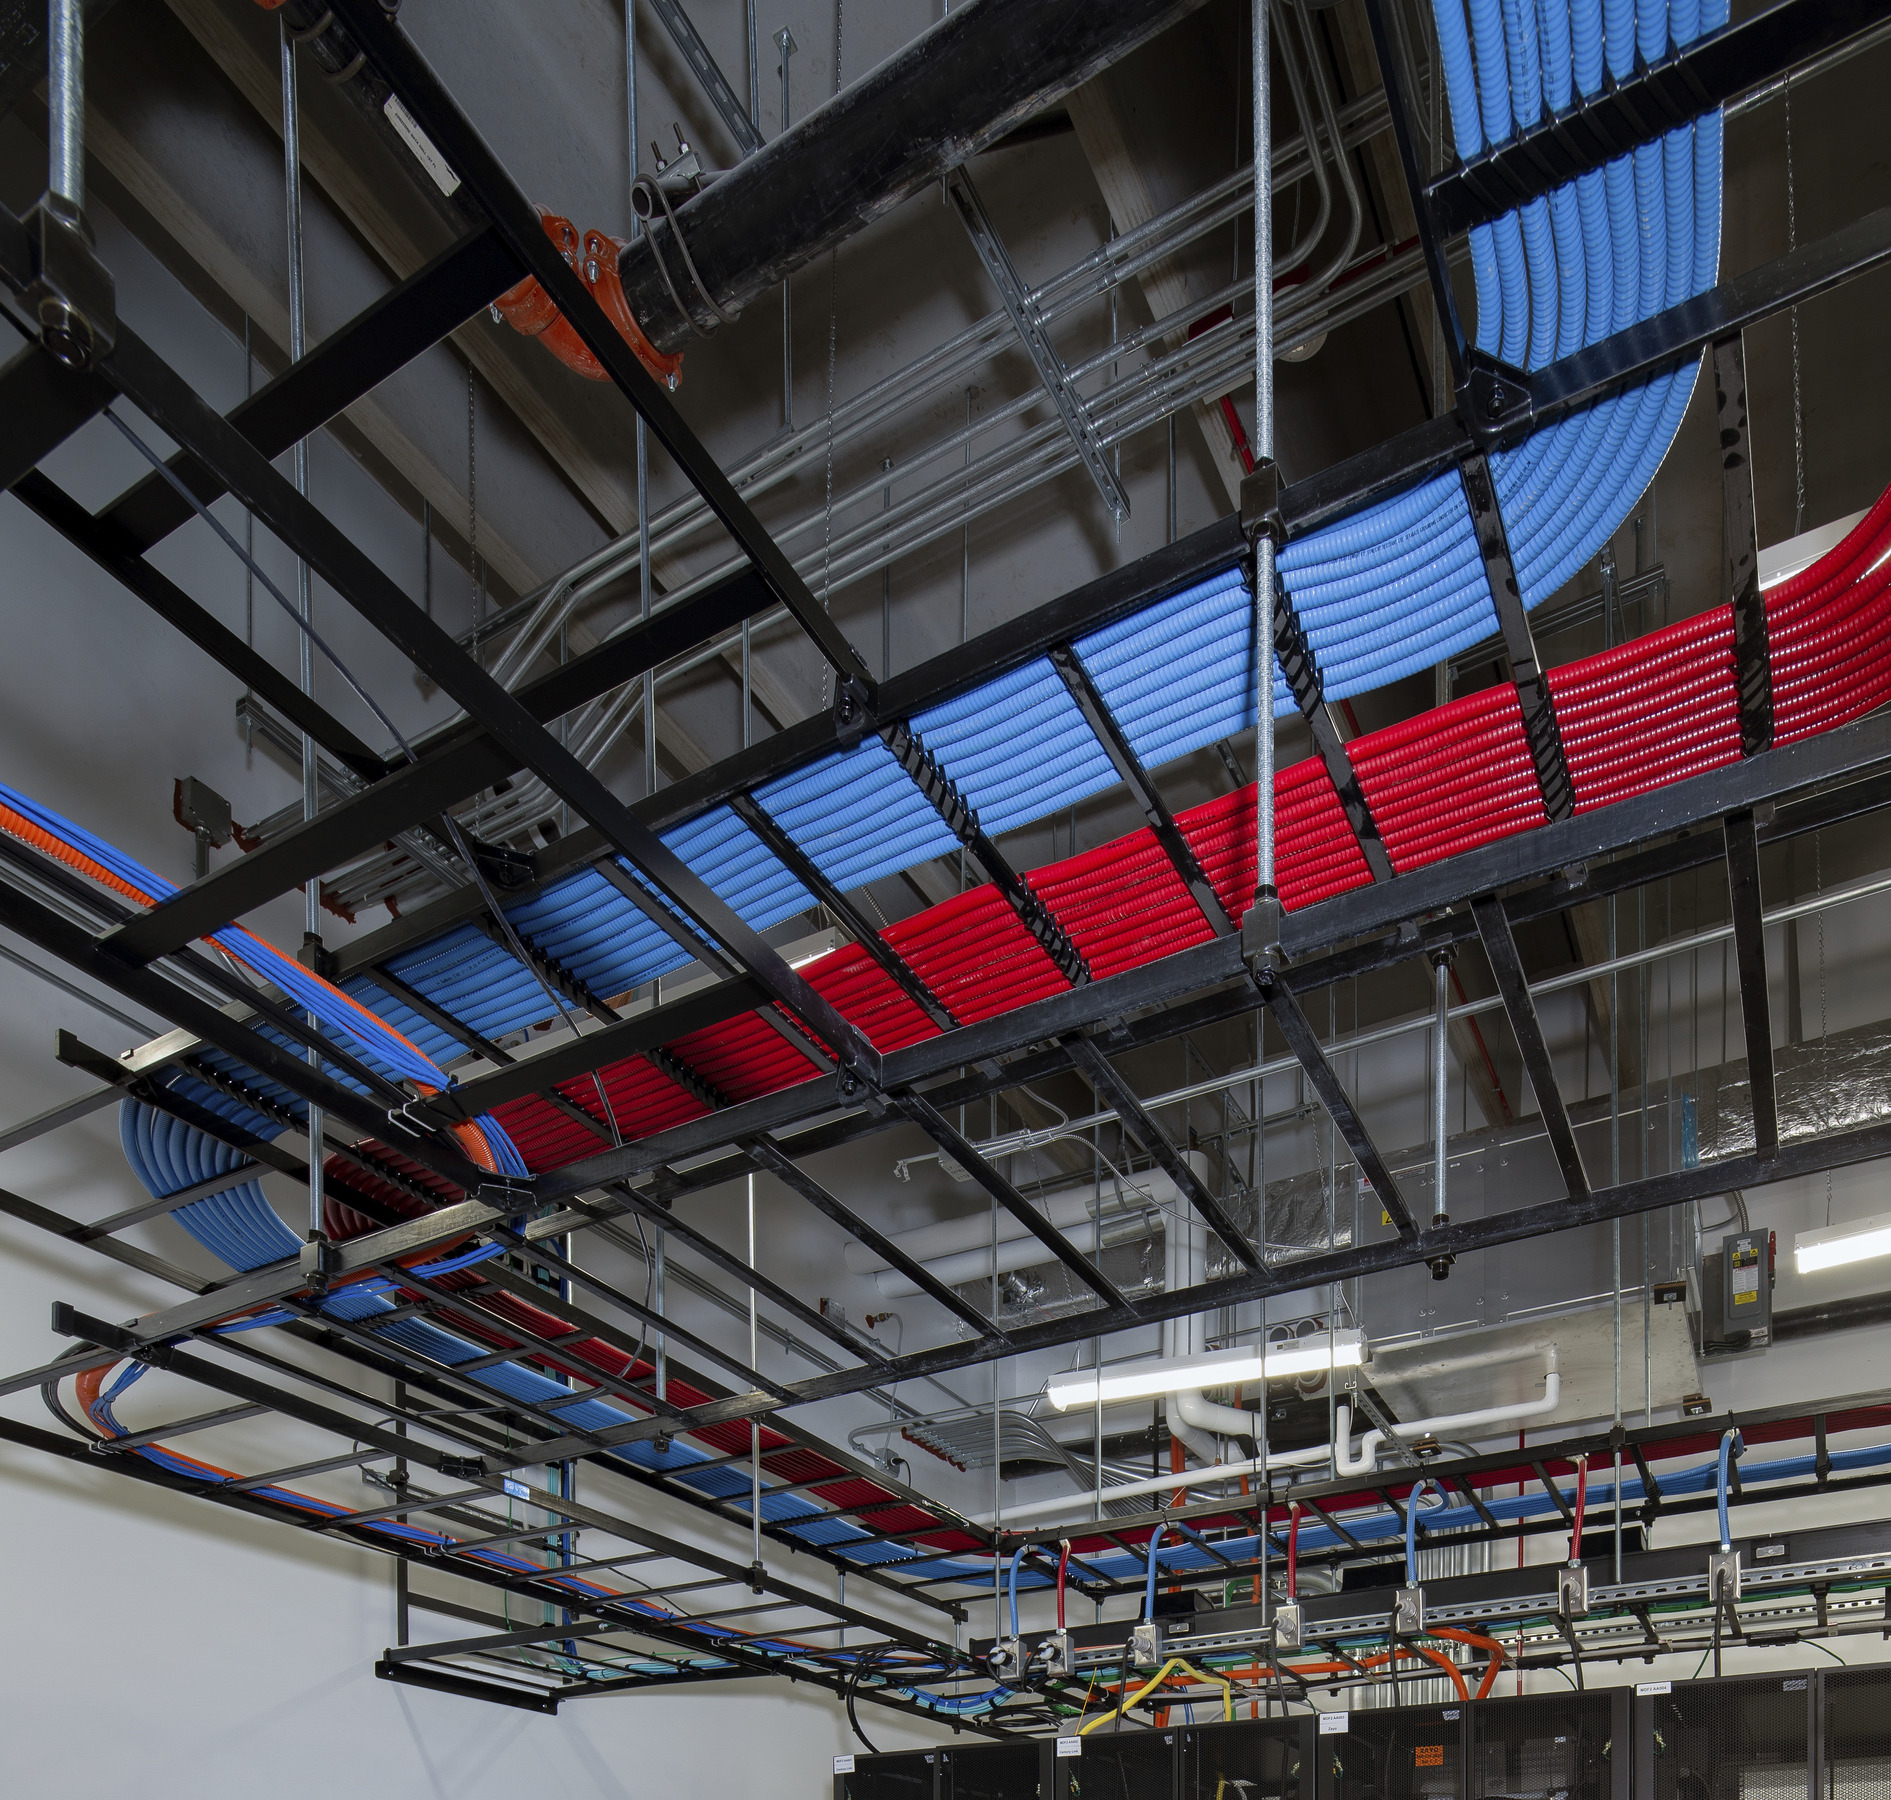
{"x":1637,"y":718}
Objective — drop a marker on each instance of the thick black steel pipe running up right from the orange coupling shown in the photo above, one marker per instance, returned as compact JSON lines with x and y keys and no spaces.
{"x":954,"y":92}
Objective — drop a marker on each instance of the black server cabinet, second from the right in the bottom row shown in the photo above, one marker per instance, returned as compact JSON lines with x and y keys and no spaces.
{"x":1741,"y":1739}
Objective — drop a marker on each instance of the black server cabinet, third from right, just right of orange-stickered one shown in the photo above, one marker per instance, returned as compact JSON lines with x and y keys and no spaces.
{"x":1552,"y":1748}
